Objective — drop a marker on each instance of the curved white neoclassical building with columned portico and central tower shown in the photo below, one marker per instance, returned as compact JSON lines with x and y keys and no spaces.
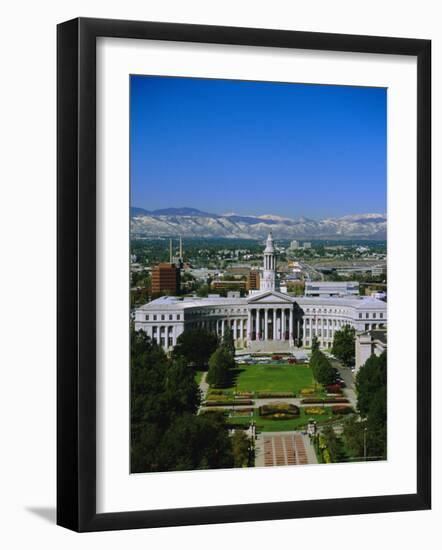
{"x":264,"y":321}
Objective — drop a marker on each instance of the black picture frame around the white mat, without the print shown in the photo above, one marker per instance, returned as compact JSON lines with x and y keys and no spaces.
{"x":76,"y":274}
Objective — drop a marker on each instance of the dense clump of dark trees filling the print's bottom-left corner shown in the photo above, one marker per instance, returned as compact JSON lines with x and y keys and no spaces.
{"x":166,"y":433}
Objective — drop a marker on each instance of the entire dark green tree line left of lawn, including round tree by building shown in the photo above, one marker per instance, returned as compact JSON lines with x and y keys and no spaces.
{"x":166,"y":431}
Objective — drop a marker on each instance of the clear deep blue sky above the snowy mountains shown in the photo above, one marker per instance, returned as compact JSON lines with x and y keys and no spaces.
{"x":257,"y":147}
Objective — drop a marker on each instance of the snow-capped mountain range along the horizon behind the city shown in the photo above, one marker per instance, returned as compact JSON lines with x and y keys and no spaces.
{"x":190,"y":222}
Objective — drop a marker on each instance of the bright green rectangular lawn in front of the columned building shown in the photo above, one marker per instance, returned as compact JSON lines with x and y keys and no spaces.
{"x":273,"y":378}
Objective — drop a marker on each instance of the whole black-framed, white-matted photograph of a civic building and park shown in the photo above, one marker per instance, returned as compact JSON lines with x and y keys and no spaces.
{"x":243,"y":240}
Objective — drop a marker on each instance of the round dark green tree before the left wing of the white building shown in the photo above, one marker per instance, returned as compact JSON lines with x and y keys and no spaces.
{"x":196,"y":346}
